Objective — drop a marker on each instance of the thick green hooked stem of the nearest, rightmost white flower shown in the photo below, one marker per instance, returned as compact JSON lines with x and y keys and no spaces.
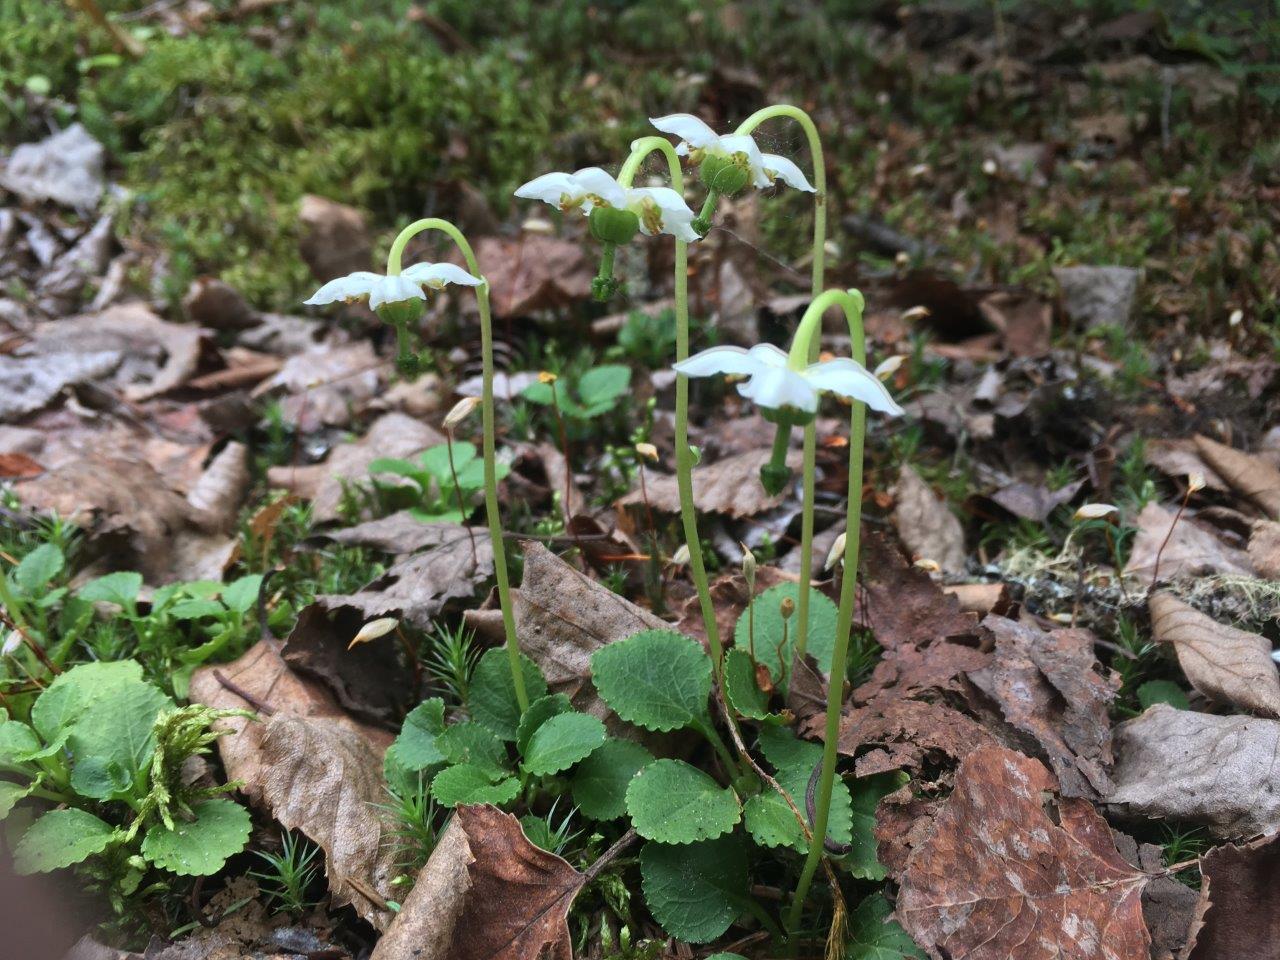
{"x":853,"y":304}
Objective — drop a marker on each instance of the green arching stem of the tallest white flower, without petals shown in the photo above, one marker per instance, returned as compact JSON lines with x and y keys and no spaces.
{"x":819,"y":267}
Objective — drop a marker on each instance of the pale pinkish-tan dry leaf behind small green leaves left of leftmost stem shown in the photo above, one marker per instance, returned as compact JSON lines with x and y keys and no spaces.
{"x":391,"y":436}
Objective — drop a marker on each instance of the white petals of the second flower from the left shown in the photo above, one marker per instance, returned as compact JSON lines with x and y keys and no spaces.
{"x":661,"y":209}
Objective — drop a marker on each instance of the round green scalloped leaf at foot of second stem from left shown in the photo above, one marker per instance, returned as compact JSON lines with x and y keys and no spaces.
{"x":657,"y":679}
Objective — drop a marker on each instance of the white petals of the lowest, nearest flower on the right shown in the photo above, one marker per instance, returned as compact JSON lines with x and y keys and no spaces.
{"x":772,"y":383}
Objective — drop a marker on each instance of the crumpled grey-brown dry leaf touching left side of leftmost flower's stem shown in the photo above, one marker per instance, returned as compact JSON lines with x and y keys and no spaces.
{"x":419,"y":587}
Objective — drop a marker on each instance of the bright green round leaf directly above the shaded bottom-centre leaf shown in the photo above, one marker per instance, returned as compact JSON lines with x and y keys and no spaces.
{"x":675,"y":803}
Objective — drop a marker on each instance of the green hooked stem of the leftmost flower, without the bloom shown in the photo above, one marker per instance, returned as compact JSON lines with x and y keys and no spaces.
{"x":491,"y":470}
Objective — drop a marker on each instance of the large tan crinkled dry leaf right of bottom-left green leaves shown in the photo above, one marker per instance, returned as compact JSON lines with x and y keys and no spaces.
{"x":312,"y":766}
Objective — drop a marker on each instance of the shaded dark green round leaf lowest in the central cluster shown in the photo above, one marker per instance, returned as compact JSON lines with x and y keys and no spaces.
{"x":696,"y":890}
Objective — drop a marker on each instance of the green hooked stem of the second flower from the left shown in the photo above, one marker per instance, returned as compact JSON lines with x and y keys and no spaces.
{"x":641,"y":150}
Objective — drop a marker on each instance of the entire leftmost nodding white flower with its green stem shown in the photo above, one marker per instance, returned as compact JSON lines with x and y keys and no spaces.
{"x":406,"y":287}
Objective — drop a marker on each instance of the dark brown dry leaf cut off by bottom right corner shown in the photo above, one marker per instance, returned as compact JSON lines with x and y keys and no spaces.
{"x":1238,"y":903}
